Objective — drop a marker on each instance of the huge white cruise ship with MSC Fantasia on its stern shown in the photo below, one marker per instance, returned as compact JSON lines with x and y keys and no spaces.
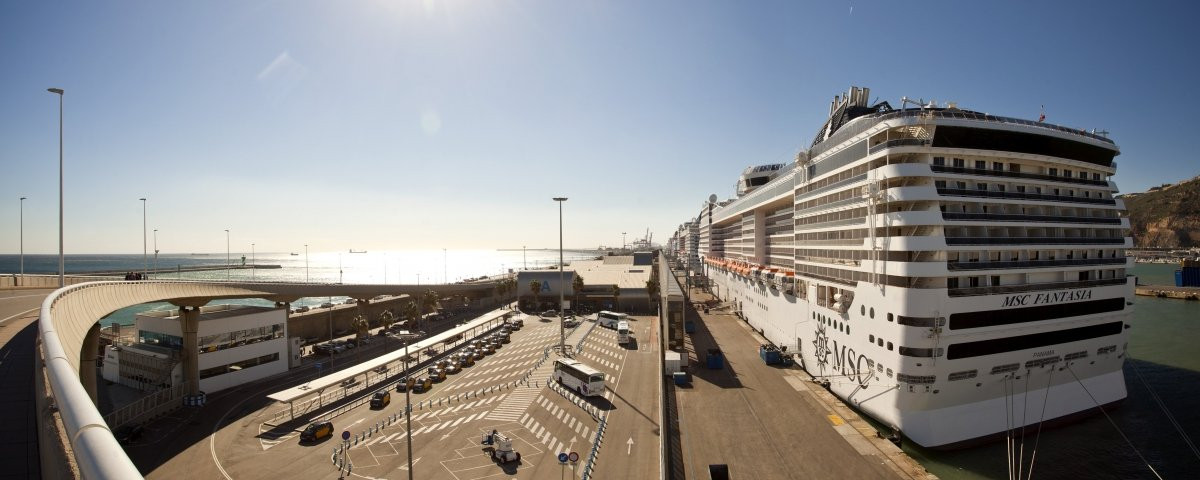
{"x":953,"y":274}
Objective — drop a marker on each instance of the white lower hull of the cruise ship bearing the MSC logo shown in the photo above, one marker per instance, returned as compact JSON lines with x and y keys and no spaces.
{"x":945,"y":413}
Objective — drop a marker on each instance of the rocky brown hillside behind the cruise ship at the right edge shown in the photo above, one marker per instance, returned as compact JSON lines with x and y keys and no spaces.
{"x":1167,"y":217}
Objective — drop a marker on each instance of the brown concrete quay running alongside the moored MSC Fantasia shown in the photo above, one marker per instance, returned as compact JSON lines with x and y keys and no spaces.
{"x":769,"y":422}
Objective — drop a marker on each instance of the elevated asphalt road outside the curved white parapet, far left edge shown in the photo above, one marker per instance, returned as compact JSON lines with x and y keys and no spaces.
{"x":19,"y":424}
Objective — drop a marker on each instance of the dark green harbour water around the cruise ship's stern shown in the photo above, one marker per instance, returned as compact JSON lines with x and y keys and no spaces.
{"x":1165,"y":351}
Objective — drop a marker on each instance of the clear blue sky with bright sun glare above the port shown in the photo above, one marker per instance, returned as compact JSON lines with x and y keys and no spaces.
{"x":452,"y":124}
